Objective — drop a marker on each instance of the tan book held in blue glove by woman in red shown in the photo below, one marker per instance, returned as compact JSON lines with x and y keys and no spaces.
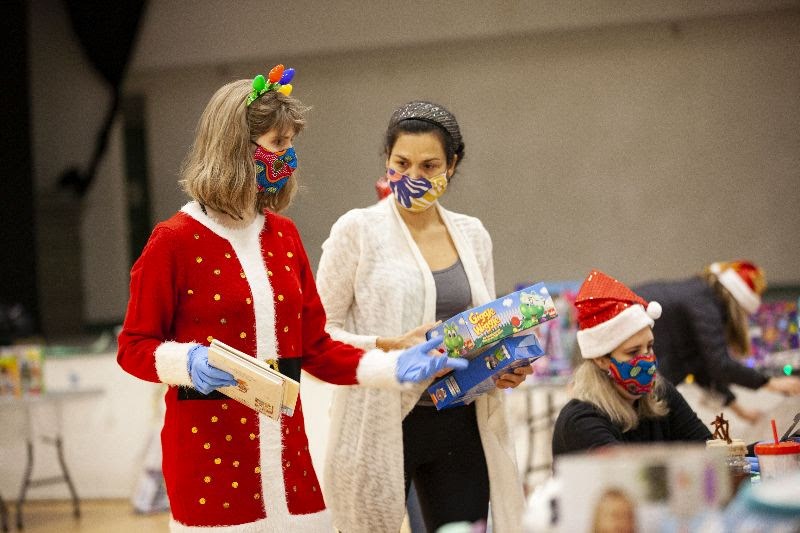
{"x":258,"y":385}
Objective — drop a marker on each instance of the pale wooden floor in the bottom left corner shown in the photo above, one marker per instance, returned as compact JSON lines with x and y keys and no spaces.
{"x":96,"y":516}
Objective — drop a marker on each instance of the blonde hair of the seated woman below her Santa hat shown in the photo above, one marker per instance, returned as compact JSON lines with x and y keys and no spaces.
{"x":592,"y":384}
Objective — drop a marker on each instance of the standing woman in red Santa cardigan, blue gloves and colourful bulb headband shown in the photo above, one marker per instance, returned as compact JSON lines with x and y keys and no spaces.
{"x":227,"y":266}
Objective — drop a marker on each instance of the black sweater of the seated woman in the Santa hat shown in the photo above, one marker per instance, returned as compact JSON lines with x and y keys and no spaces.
{"x":582,"y":426}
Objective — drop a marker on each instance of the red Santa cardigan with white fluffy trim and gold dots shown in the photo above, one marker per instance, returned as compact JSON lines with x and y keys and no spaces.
{"x":252,"y":288}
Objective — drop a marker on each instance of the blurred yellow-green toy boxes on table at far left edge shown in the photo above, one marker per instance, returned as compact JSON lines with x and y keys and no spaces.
{"x":21,"y":370}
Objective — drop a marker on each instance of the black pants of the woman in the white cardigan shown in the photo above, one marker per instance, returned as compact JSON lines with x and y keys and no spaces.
{"x":444,"y":458}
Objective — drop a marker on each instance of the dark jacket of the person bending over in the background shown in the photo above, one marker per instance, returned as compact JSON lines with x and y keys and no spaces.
{"x":690,"y":337}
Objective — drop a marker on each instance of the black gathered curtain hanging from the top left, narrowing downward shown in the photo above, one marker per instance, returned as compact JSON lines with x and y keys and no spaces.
{"x":107,"y":33}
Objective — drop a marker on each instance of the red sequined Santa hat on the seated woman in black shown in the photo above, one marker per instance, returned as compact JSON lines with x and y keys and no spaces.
{"x":609,"y":313}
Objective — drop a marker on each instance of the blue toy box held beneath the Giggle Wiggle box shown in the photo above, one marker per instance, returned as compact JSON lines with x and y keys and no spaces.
{"x":463,"y":386}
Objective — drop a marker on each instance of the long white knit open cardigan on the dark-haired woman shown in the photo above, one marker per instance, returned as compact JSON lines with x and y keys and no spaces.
{"x":373,"y":282}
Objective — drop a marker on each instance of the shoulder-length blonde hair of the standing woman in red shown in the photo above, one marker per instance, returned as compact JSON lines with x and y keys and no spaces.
{"x":219,"y":171}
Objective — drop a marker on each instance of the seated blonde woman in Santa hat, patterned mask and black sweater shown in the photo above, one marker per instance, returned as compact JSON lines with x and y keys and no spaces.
{"x":618,"y":397}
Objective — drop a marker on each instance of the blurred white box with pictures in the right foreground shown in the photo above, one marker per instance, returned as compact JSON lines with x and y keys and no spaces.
{"x":647,"y":487}
